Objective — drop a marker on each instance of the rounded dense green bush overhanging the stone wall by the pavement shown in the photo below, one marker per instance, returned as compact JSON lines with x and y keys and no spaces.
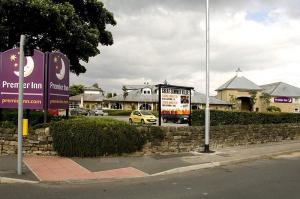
{"x":87,"y":137}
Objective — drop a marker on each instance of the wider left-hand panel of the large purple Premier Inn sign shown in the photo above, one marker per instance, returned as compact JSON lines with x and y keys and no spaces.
{"x":33,"y":80}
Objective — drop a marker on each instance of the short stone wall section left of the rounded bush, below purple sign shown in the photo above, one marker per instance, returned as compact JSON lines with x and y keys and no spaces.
{"x":38,"y":142}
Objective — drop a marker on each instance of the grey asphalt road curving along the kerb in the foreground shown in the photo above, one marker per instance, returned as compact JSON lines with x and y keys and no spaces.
{"x":264,"y":179}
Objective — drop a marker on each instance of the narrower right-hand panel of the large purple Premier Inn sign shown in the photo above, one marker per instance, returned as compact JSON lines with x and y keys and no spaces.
{"x":58,"y":81}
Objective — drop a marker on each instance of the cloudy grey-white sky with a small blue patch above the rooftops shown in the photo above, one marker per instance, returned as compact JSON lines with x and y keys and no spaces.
{"x":157,"y":40}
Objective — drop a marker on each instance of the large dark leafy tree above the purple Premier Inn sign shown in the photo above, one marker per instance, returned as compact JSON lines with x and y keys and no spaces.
{"x":74,"y":27}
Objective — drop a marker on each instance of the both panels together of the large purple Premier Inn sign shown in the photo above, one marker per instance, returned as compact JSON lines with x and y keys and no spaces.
{"x":36,"y":80}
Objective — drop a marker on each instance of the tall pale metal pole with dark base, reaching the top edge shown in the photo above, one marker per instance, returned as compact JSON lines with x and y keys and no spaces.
{"x":207,"y":112}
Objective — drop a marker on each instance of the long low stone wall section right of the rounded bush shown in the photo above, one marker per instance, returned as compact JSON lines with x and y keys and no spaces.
{"x":185,"y":139}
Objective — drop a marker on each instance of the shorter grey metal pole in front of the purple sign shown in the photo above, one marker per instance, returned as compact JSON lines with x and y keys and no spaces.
{"x":20,"y":103}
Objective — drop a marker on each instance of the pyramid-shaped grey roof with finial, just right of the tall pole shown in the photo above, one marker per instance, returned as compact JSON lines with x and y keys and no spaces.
{"x":239,"y":83}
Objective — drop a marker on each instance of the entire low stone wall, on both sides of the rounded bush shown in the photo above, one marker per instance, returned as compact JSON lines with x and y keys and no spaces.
{"x":178,"y":139}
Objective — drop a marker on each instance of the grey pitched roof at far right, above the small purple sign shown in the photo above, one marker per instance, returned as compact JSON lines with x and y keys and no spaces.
{"x":281,"y":89}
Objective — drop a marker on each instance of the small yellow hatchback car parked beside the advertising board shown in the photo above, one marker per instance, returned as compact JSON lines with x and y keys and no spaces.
{"x":143,"y":117}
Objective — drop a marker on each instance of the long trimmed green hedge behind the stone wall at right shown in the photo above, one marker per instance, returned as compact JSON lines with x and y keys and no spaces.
{"x":243,"y":118}
